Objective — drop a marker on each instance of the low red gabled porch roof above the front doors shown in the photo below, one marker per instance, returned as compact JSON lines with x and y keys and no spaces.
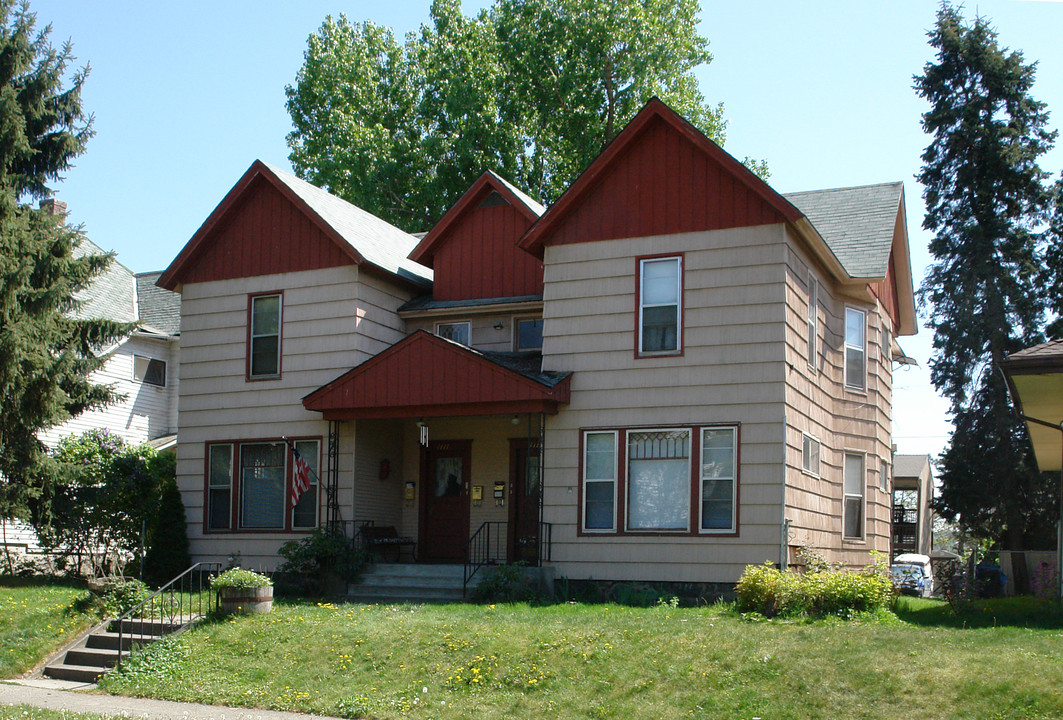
{"x":425,"y":376}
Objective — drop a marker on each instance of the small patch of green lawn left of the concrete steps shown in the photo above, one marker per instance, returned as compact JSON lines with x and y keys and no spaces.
{"x":38,"y":618}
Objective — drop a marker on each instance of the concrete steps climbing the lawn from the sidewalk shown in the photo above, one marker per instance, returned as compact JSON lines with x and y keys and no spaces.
{"x":96,"y":652}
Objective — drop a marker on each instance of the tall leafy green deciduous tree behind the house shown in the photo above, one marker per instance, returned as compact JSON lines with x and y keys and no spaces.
{"x":531,"y":89}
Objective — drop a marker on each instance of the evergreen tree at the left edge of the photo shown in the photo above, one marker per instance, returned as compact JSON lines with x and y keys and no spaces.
{"x":47,"y":353}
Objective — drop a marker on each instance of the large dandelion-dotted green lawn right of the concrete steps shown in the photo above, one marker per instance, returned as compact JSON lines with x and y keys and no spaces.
{"x":576,"y":661}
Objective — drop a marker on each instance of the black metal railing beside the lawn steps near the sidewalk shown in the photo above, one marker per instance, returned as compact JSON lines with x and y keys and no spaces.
{"x":187,"y":598}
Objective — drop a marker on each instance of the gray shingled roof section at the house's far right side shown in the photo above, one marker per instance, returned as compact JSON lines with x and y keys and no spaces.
{"x":856,"y":223}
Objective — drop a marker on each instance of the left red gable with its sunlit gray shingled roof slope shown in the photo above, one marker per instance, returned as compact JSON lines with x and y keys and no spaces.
{"x":273,"y":222}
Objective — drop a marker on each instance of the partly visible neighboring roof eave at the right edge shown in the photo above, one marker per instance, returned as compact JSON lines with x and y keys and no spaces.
{"x":1036,"y":377}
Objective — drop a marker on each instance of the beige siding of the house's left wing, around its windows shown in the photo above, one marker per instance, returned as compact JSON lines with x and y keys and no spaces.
{"x":333,"y":320}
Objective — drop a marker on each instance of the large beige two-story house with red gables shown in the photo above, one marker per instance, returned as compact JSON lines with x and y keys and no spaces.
{"x":671,"y":374}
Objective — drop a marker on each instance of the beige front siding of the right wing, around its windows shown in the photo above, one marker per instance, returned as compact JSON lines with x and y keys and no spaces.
{"x":732,"y":372}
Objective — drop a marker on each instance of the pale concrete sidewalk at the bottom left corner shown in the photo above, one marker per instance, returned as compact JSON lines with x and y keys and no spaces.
{"x":62,"y":696}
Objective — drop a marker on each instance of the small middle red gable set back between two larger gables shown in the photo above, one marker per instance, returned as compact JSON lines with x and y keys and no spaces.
{"x":474,"y":248}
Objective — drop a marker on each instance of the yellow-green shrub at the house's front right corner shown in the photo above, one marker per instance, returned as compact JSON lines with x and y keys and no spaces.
{"x":770,"y":592}
